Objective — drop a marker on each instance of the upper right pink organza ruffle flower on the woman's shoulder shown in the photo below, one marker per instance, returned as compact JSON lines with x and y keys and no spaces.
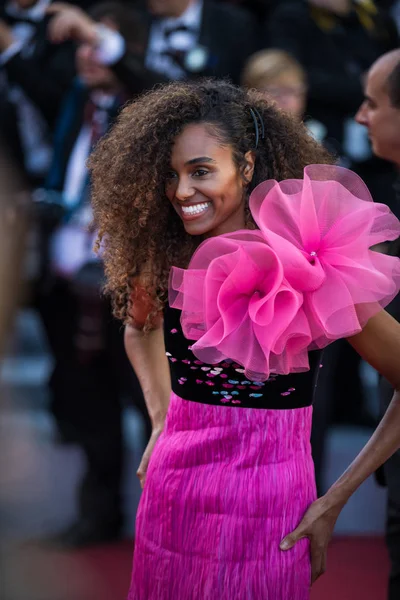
{"x":322,"y":228}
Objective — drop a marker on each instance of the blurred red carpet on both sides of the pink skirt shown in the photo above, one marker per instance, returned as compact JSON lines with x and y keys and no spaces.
{"x":357,"y":570}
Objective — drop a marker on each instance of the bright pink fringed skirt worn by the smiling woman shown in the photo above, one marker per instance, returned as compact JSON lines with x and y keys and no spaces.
{"x":224,"y":486}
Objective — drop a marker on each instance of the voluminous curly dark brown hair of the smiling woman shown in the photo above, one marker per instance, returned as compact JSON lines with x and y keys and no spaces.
{"x":140,"y":233}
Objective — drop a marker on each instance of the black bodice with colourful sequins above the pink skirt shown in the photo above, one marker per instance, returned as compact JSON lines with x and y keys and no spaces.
{"x":225,"y":384}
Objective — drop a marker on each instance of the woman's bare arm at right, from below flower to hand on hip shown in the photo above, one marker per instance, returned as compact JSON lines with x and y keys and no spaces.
{"x":379,"y":345}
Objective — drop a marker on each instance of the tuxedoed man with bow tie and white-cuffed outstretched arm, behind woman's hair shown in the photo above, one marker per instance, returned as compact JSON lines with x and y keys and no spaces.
{"x":182,"y":39}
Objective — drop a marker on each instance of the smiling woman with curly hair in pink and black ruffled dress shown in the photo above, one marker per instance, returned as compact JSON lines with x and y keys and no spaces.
{"x":234,"y":259}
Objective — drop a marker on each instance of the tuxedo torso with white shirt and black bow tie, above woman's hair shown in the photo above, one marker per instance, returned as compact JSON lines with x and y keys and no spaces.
{"x":189,"y":38}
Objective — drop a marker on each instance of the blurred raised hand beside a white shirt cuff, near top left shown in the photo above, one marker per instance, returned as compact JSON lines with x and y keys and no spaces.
{"x":70,"y":23}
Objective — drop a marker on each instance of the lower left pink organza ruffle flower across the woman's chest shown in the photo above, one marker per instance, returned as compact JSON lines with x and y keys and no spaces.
{"x":236,"y":304}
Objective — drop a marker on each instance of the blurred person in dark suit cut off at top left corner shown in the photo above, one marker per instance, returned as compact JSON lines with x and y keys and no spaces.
{"x":34,"y":76}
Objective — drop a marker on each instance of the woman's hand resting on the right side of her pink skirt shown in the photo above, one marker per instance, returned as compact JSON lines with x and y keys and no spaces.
{"x":317,"y":525}
